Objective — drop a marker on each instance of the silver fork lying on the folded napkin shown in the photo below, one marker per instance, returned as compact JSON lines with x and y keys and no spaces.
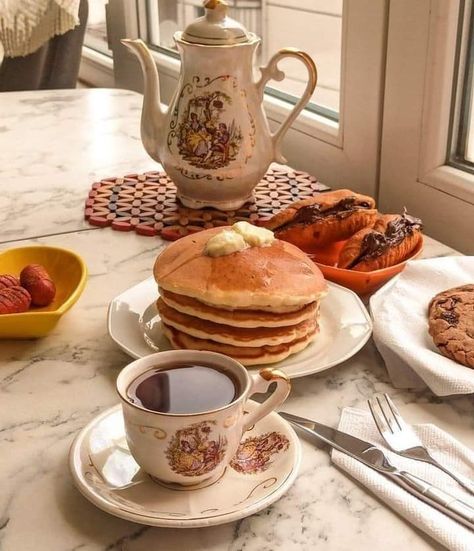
{"x":402,"y":439}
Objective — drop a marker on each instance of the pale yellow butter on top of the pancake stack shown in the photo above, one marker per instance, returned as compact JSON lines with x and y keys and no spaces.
{"x":242,"y":235}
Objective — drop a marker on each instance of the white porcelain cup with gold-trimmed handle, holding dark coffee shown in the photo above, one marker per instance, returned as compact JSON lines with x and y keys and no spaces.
{"x":194,"y":448}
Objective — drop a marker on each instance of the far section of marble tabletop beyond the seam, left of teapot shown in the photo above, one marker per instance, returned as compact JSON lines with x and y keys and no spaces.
{"x":91,"y":134}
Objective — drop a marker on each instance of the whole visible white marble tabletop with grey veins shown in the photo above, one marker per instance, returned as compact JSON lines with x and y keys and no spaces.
{"x":50,"y":388}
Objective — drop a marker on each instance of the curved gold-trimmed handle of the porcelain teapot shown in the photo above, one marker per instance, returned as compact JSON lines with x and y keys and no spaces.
{"x":271,"y":71}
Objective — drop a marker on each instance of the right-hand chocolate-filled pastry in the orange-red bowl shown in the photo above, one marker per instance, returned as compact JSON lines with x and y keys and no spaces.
{"x":391,"y":240}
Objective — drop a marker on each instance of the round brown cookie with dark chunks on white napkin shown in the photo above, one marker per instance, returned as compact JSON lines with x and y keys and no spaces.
{"x":451,"y":323}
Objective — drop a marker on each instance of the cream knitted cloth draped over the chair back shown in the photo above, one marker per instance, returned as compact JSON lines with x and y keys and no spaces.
{"x":25,"y":25}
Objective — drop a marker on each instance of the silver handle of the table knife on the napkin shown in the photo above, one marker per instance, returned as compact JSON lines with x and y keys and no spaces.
{"x":441,"y":500}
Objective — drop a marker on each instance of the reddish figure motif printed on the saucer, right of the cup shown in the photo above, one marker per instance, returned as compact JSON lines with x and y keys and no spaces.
{"x":255,"y":453}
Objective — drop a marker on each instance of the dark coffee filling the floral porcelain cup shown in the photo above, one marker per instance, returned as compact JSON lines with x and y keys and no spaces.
{"x":183,"y":388}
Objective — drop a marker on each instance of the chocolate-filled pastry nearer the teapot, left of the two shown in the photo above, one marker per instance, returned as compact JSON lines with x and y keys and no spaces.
{"x":323,"y":219}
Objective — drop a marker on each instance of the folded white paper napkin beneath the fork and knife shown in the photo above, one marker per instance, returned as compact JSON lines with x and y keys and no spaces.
{"x":444,"y":447}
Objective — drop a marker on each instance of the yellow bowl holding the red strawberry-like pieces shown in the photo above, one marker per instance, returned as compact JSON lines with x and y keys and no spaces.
{"x":69,"y":273}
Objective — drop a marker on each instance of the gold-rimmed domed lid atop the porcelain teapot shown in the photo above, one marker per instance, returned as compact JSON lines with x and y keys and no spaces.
{"x":215,"y":27}
